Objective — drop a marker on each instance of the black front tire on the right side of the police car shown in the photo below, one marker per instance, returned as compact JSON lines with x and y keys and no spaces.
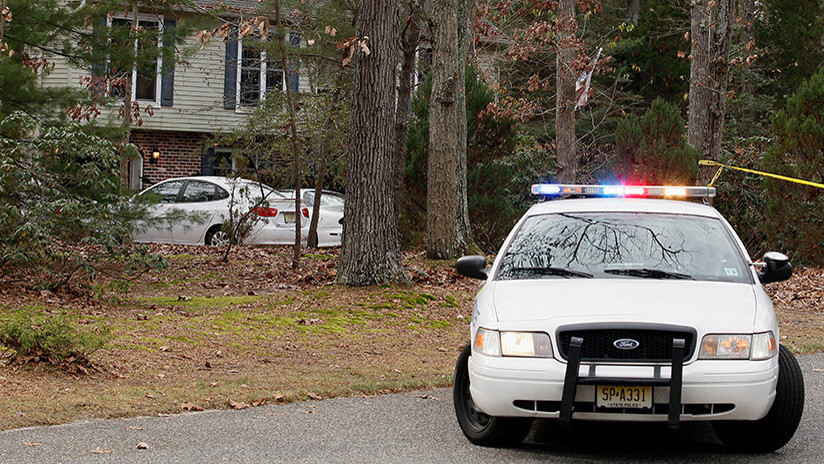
{"x":778,"y":427}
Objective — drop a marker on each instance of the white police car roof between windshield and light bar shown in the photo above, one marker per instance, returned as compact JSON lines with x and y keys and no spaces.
{"x":634,"y":205}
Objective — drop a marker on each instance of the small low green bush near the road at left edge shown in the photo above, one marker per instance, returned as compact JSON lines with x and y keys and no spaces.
{"x":54,"y":337}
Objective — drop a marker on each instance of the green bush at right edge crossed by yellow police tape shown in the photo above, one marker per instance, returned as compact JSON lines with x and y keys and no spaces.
{"x":795,"y":212}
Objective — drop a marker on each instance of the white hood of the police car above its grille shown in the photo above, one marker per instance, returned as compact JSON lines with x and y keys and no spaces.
{"x":725,"y":306}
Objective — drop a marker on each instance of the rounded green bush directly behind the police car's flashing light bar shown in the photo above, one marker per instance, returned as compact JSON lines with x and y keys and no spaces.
{"x":652,"y":149}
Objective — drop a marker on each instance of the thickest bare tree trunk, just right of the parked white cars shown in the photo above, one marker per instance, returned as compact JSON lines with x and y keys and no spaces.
{"x":371,"y":247}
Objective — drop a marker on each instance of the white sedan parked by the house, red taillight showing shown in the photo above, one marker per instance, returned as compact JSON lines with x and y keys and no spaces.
{"x":192,"y":211}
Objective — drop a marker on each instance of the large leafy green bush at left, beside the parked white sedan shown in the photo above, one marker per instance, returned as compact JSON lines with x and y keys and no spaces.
{"x":63,"y":214}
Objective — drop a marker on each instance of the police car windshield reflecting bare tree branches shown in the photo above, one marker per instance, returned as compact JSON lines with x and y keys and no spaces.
{"x":616,"y":245}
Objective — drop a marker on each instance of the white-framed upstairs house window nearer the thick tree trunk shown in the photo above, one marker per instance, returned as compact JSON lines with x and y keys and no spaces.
{"x":258,"y":75}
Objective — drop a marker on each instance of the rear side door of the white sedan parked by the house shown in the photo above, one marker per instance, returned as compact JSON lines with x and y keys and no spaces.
{"x":199,"y":202}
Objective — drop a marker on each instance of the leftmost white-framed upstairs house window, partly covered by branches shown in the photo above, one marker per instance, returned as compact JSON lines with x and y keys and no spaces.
{"x":145,"y":73}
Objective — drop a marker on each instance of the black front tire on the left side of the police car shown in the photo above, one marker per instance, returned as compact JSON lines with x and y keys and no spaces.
{"x":479,"y":428}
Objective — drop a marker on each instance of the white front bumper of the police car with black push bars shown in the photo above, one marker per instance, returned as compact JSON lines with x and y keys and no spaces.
{"x":709,"y":389}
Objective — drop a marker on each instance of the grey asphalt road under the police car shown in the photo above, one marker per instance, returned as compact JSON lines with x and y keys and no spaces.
{"x":418,"y":427}
